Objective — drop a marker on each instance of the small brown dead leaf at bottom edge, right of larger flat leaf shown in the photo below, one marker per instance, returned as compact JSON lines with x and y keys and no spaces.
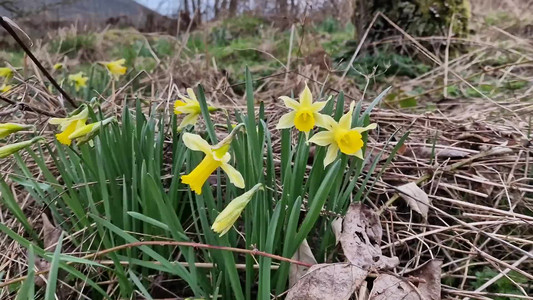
{"x":389,"y":287}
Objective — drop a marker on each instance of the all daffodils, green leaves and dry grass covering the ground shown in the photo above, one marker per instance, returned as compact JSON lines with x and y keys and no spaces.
{"x":233,"y":159}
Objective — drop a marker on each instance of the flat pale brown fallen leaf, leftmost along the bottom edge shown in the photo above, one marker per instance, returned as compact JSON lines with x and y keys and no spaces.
{"x":328,"y":282}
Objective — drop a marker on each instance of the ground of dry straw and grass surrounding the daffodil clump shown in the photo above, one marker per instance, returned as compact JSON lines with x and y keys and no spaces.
{"x":454,"y":134}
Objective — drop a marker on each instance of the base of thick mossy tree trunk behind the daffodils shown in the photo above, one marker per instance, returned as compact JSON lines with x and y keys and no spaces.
{"x":416,"y":17}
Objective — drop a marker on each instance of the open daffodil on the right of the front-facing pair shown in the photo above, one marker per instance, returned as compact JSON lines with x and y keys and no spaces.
{"x":340,"y":136}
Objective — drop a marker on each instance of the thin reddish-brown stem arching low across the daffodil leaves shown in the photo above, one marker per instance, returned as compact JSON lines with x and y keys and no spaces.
{"x":171,"y":243}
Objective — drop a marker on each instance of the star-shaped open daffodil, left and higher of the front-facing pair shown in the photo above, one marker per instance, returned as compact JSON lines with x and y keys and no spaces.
{"x":304,"y":115}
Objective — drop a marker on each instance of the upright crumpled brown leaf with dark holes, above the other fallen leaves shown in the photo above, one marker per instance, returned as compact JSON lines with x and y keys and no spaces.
{"x":361,"y":239}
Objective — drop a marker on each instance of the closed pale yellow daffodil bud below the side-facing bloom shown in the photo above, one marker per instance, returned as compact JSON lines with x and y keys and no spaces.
{"x":231,"y":213}
